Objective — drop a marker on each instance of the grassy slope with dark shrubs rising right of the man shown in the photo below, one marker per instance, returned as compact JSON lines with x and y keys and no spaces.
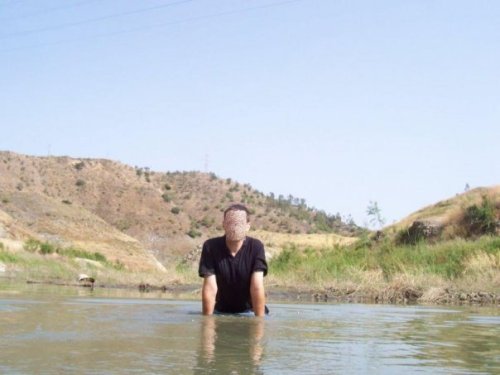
{"x":410,"y":260}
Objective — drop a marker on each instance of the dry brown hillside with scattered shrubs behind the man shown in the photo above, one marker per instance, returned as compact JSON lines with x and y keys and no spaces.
{"x":133,"y":214}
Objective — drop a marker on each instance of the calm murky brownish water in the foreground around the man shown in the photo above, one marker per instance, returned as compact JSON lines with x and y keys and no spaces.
{"x":70,"y":330}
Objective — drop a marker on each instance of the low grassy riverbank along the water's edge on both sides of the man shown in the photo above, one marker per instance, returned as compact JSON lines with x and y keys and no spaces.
{"x":452,"y":272}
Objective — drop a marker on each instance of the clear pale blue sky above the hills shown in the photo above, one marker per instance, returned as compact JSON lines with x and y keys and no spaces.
{"x":338,"y":102}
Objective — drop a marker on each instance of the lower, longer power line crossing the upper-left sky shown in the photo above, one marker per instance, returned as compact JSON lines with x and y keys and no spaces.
{"x":159,"y":25}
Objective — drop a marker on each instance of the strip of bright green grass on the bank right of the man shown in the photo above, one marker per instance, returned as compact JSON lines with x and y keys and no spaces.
{"x":445,"y":260}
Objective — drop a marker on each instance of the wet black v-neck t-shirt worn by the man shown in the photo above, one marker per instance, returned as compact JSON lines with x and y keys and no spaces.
{"x":233,"y":274}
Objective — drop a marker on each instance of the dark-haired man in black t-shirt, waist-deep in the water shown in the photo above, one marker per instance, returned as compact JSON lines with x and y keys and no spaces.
{"x":233,"y":268}
